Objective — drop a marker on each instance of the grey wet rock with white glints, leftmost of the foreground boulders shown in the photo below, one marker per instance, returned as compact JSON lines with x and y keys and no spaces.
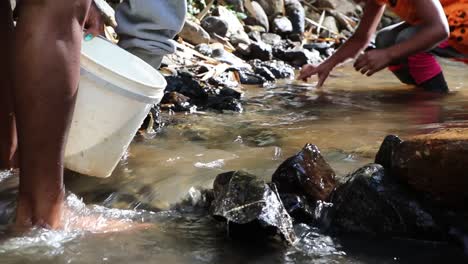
{"x":250,"y":207}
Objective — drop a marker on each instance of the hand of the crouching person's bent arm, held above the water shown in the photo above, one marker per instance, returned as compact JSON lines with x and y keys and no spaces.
{"x":372,"y":61}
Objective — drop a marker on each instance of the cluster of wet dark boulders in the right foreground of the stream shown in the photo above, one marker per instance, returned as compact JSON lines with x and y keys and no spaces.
{"x":415,"y":189}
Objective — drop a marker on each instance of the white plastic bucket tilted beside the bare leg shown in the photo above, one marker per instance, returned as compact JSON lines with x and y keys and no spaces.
{"x":117,"y":90}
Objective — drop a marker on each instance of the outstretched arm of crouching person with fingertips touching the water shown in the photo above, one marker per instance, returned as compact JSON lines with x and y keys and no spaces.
{"x":353,"y":46}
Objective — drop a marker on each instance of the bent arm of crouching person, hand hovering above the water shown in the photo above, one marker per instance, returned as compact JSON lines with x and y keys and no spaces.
{"x":433,"y":29}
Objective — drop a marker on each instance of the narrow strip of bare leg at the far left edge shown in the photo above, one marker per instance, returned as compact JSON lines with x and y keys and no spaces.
{"x":7,"y":119}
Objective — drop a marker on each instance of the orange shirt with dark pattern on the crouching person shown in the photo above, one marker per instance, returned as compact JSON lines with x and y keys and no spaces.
{"x":455,"y":10}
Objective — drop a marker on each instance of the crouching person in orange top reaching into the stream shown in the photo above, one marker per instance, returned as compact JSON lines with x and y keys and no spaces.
{"x":404,"y":48}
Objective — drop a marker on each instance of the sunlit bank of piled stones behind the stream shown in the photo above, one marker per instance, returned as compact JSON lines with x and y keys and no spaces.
{"x":252,"y":43}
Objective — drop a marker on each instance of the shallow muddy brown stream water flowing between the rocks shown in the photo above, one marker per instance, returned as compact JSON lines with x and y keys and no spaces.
{"x":347,"y":120}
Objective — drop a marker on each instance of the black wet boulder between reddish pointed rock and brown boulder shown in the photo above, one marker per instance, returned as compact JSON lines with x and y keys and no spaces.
{"x":374,"y":203}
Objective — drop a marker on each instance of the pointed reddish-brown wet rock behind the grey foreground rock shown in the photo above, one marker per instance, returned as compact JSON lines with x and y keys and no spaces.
{"x":306,"y":174}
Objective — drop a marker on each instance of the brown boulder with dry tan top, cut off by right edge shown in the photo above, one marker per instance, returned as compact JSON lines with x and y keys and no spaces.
{"x":434,"y":164}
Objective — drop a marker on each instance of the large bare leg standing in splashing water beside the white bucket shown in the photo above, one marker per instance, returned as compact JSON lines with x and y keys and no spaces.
{"x":46,"y":73}
